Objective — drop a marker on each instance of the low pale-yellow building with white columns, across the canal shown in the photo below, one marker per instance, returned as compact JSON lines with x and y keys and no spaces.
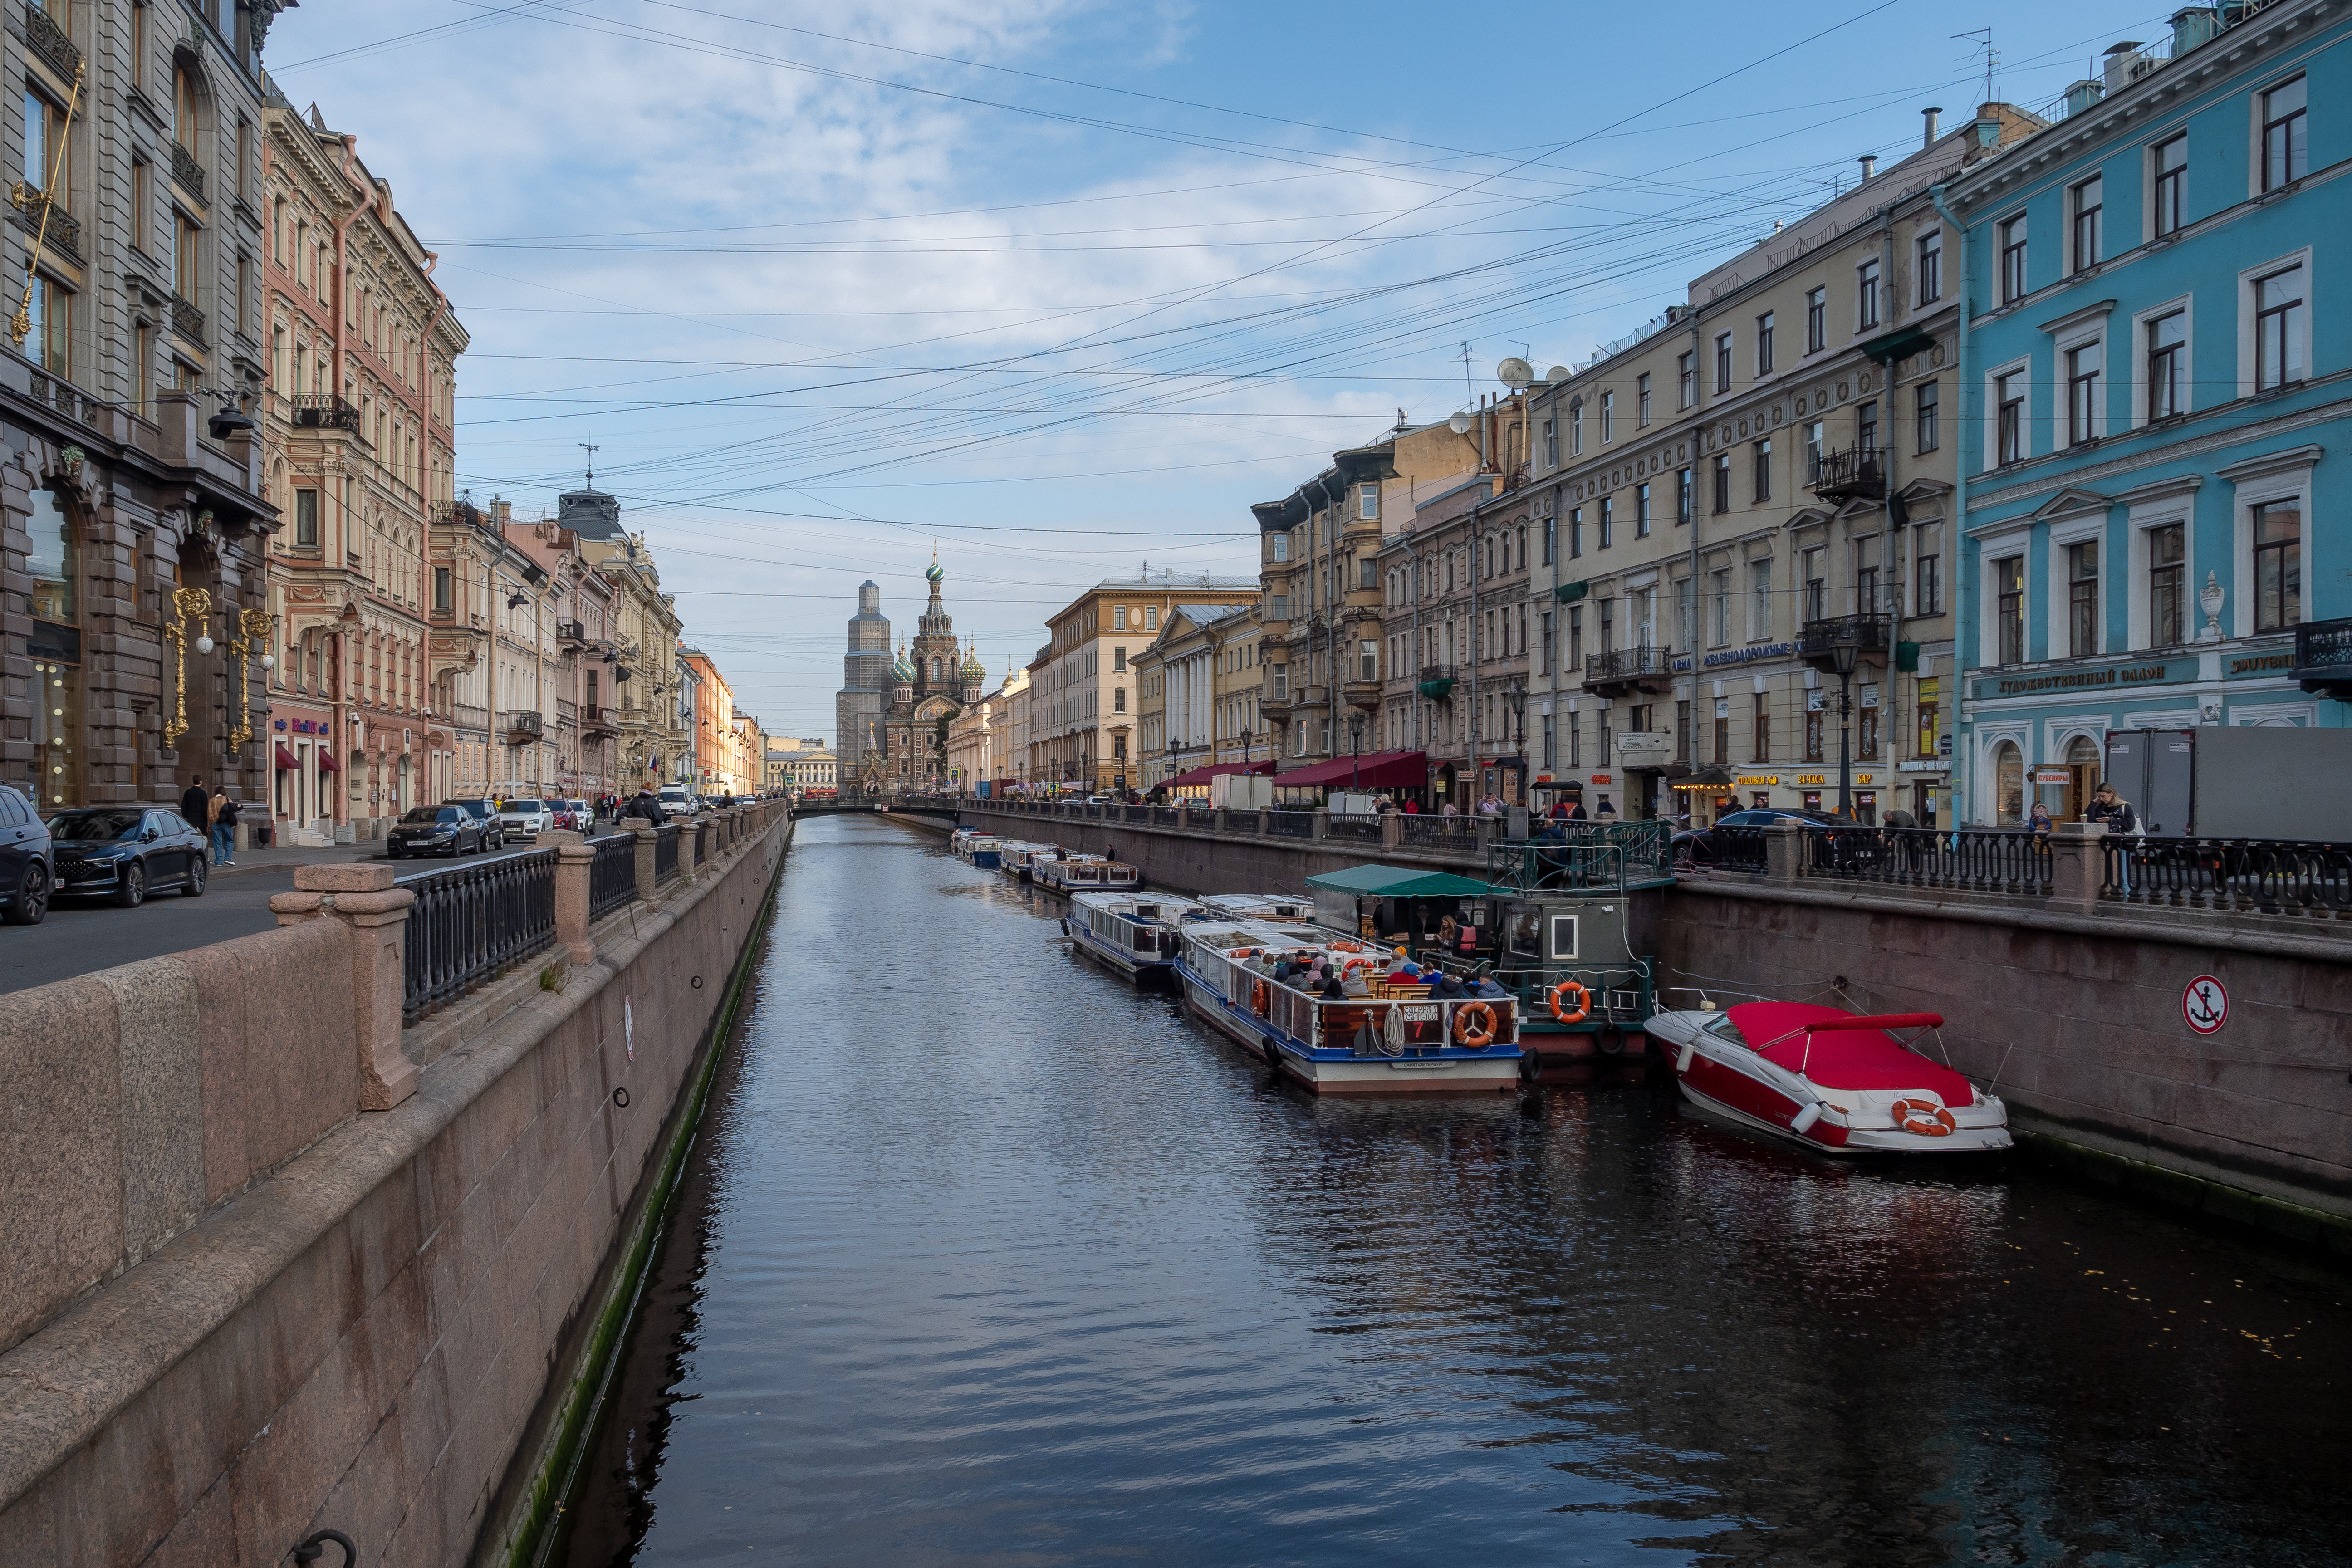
{"x":1198,"y":690}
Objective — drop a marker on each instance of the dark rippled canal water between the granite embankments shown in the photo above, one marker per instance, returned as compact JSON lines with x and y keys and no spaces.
{"x":991,"y":1259}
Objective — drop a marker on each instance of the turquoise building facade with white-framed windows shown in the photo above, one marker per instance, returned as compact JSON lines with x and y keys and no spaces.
{"x":2156,"y":406}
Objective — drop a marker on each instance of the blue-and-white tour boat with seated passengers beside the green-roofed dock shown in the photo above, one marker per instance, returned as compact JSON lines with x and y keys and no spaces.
{"x":1379,"y":1040}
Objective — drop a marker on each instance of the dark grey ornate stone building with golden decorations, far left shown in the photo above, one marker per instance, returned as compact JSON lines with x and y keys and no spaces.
{"x":133,"y":509}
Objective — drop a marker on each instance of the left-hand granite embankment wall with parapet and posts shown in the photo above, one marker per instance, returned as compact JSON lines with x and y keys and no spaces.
{"x":276,"y":1264}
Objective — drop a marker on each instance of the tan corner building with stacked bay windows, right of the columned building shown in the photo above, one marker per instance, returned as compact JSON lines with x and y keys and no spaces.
{"x":1323,"y":605}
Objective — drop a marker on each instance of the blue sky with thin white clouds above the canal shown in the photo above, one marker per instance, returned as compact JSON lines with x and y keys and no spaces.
{"x":1064,"y":286}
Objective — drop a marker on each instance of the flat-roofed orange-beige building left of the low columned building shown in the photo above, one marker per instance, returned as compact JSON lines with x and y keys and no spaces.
{"x":1083,"y":713}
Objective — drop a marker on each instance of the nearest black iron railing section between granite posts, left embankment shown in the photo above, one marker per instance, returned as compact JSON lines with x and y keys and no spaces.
{"x":474,"y":923}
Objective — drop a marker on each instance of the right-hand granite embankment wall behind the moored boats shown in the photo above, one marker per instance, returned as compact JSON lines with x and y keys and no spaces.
{"x":2073,"y":1017}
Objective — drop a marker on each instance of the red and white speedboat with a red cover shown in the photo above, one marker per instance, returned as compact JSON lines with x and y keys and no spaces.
{"x":1831,"y":1080}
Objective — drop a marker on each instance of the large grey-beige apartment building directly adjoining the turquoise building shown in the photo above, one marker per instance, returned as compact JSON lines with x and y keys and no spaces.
{"x":1746,"y":485}
